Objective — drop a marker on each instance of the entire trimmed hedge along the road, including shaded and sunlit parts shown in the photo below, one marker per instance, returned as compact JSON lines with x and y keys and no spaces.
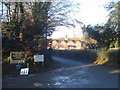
{"x":101,"y":57}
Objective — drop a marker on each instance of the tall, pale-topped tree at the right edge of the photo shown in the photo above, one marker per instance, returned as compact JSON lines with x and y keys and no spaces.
{"x":112,"y":26}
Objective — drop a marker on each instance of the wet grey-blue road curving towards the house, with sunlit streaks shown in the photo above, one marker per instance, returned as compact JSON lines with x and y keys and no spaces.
{"x":70,"y":74}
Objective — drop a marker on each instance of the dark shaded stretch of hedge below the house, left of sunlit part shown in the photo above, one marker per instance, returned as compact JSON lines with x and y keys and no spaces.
{"x":85,"y":55}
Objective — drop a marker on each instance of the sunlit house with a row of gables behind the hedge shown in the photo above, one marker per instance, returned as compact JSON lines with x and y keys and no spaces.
{"x":68,"y":44}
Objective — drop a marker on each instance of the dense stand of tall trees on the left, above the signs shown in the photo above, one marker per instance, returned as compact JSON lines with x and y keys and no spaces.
{"x":32,"y":22}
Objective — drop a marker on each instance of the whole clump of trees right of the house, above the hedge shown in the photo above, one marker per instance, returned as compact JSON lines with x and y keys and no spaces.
{"x":107,"y":35}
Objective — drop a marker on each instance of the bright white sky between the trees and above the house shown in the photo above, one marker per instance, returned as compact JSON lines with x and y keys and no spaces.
{"x":91,"y":12}
